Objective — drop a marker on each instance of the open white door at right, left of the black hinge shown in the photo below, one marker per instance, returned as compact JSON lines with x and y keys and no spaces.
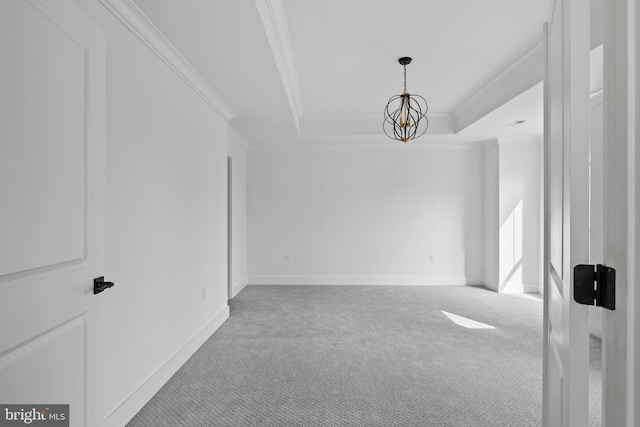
{"x":566,"y":349}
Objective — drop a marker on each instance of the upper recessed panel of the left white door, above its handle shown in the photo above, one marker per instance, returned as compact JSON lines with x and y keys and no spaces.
{"x":42,"y":176}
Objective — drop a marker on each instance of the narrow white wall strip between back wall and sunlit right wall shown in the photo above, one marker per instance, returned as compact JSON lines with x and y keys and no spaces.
{"x":491,"y":185}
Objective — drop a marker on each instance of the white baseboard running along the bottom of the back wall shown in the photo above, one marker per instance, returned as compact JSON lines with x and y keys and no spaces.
{"x":362,"y":280}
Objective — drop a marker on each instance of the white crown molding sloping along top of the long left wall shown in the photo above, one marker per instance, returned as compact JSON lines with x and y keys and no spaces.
{"x":140,"y":26}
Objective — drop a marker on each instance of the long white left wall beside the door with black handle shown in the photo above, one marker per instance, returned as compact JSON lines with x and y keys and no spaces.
{"x":165,"y":220}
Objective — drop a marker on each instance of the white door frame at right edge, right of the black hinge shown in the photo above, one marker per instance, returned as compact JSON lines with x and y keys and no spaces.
{"x":621,"y":192}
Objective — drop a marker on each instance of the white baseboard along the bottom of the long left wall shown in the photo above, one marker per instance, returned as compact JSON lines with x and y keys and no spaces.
{"x":132,"y":404}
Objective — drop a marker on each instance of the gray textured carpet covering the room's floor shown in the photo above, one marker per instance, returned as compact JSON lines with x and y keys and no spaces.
{"x":361,"y":356}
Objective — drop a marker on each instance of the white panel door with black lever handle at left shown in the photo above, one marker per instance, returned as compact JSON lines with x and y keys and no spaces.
{"x":52,"y":203}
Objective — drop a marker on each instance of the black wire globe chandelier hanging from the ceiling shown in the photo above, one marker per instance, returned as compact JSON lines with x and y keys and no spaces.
{"x":405,"y":115}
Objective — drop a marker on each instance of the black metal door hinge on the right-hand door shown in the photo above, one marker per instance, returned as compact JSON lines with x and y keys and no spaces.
{"x":595,"y":285}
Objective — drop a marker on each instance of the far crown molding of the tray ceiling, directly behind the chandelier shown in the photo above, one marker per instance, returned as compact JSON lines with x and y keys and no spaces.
{"x":366,"y":124}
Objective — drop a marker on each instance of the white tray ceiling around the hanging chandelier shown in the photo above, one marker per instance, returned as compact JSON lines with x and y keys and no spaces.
{"x":320,"y":72}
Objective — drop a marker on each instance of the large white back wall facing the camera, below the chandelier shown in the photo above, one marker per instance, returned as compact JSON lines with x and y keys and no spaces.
{"x":372,"y":217}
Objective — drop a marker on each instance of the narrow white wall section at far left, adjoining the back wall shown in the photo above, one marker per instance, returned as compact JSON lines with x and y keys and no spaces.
{"x":237,"y":151}
